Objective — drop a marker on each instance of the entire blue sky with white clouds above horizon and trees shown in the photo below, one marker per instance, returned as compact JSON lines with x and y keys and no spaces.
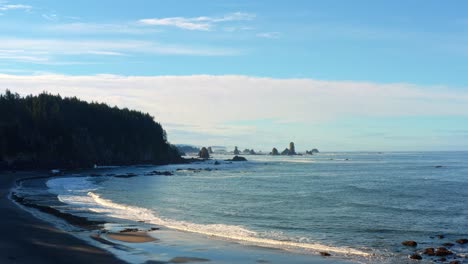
{"x":333,"y":75}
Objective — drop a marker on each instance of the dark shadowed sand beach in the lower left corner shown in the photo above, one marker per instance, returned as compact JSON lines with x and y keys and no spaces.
{"x":26,"y":239}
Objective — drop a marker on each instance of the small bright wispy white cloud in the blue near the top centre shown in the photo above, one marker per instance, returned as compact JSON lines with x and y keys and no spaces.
{"x":203,"y":23}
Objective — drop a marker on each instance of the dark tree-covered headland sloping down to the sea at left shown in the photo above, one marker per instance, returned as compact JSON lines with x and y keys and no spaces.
{"x":48,"y":131}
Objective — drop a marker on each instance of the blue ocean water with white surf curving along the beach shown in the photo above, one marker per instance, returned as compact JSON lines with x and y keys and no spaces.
{"x":356,"y":206}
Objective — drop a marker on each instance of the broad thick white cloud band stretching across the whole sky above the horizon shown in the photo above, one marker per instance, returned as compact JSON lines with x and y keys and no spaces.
{"x":208,"y":101}
